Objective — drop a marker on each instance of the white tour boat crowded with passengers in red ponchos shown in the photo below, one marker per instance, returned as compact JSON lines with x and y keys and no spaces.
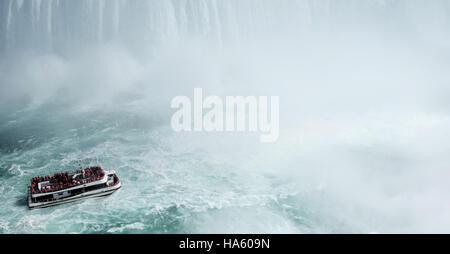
{"x":67,"y":187}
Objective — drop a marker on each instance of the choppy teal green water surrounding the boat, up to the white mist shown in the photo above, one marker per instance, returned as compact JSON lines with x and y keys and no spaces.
{"x":171,"y":184}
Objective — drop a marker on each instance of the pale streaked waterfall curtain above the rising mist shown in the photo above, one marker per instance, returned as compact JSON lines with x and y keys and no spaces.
{"x":61,"y":25}
